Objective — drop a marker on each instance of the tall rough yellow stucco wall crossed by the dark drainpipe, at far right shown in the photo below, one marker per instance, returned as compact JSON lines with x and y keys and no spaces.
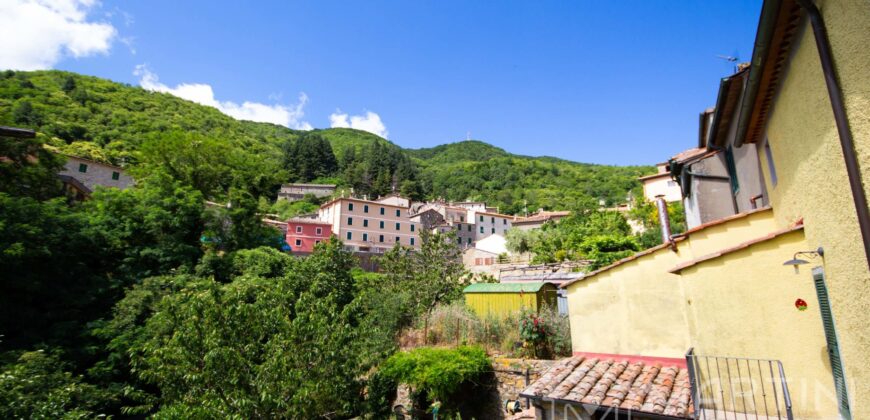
{"x":812,"y":177}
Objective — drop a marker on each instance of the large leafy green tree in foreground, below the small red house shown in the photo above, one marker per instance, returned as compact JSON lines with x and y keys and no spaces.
{"x":259,"y":347}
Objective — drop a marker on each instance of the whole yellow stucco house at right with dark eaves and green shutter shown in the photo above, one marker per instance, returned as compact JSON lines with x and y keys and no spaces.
{"x":777,"y":283}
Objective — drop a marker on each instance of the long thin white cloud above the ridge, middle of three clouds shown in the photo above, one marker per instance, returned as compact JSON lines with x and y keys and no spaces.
{"x":286,"y":115}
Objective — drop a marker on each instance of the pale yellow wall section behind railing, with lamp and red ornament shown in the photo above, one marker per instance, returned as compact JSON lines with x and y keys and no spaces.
{"x":742,"y":305}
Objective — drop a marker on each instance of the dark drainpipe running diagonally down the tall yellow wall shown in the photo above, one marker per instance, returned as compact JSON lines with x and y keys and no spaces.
{"x":846,"y":142}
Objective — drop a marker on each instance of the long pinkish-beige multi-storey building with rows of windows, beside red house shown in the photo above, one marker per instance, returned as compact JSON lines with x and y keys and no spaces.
{"x":370,"y":226}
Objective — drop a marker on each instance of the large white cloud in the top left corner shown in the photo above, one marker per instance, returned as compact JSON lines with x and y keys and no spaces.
{"x":36,"y":34}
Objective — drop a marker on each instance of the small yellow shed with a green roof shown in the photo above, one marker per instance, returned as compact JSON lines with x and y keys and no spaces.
{"x":502,"y":299}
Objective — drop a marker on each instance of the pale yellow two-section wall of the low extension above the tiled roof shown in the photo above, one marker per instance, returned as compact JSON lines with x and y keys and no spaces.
{"x":738,"y":305}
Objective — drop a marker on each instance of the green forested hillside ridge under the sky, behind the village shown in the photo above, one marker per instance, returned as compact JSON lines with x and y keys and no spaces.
{"x":205,"y":149}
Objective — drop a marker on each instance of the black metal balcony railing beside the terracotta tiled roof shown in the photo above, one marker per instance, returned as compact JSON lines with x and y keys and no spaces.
{"x":738,"y":388}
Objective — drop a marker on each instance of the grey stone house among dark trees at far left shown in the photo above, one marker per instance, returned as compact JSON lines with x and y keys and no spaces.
{"x":82,"y":176}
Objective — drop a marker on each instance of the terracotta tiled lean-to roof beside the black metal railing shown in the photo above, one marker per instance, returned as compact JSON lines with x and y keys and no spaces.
{"x":621,"y":382}
